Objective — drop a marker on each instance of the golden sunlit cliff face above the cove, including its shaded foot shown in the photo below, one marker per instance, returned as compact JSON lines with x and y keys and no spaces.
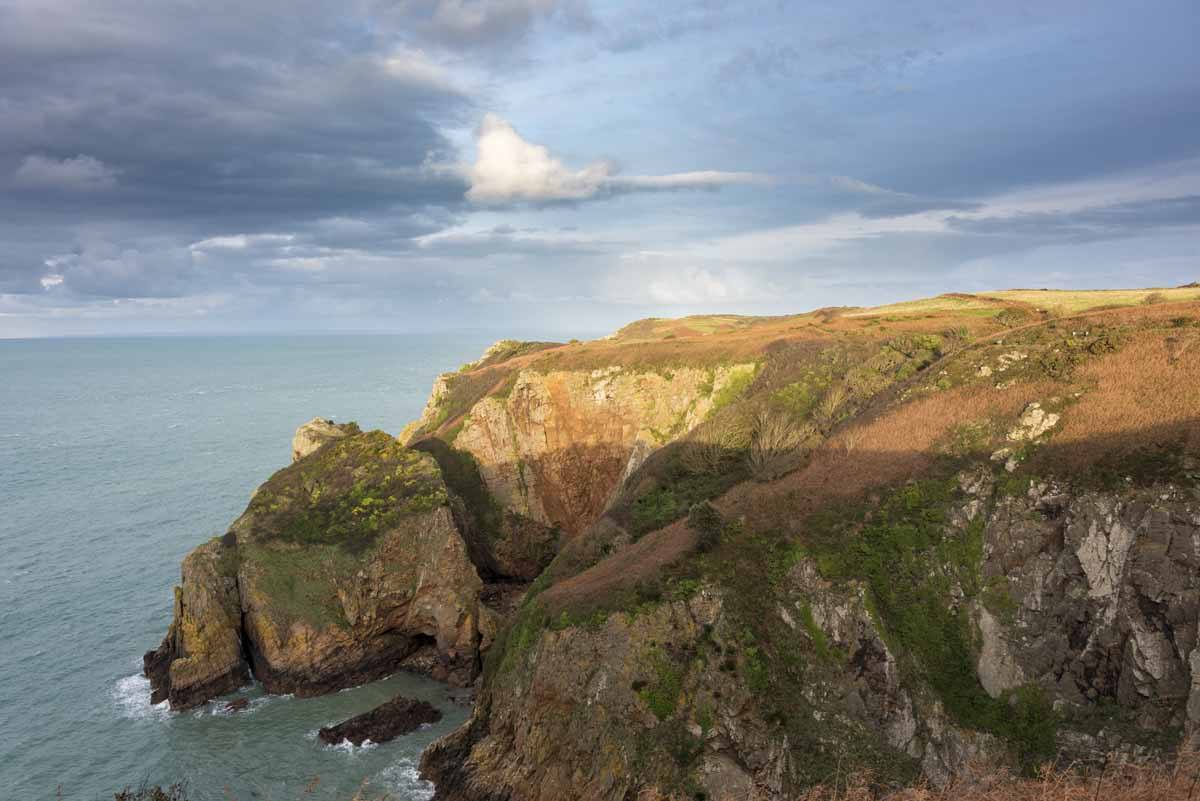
{"x":550,"y":449}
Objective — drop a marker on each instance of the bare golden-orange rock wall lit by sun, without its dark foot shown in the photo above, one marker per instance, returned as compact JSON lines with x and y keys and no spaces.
{"x":560,"y":445}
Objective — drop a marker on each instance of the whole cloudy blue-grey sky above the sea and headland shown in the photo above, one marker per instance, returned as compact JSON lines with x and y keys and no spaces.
{"x":219,"y":166}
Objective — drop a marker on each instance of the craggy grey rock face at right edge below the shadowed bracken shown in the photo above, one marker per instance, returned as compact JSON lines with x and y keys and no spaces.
{"x":1102,"y":598}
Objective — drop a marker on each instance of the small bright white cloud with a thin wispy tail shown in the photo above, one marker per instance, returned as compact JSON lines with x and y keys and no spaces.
{"x":511,"y":170}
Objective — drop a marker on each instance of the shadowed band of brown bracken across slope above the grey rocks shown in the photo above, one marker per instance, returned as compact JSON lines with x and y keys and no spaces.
{"x":646,"y":528}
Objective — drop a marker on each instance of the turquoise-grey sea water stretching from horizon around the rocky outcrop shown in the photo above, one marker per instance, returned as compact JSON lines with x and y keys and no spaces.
{"x":117,"y":457}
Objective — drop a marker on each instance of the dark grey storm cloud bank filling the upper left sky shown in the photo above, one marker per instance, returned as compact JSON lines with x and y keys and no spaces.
{"x":278,"y":117}
